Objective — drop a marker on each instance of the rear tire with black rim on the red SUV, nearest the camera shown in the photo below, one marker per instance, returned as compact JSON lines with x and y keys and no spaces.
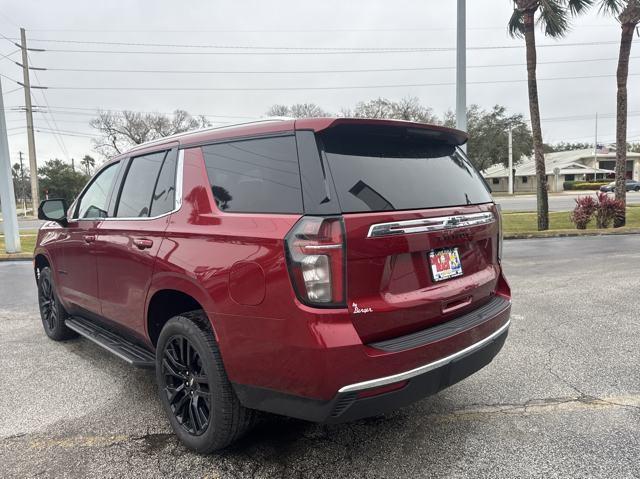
{"x":189,"y":365}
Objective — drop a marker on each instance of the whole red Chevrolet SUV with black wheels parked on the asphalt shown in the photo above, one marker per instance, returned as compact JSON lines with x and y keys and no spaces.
{"x":325,"y":269}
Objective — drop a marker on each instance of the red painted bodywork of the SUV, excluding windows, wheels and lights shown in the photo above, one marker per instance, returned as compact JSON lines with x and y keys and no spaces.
{"x":234,"y":266}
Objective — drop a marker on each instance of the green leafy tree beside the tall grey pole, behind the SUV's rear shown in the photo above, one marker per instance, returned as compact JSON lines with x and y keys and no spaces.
{"x":489,"y":137}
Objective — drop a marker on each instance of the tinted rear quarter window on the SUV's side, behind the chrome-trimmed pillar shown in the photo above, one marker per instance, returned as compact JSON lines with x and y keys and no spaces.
{"x":259,"y":176}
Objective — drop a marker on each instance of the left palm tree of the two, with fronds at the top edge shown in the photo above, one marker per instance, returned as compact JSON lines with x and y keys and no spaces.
{"x":553,"y":17}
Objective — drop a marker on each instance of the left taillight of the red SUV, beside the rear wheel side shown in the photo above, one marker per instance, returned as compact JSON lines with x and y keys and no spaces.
{"x":315,"y":250}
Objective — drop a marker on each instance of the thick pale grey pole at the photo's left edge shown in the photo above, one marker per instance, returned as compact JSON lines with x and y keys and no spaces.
{"x":7,"y":196}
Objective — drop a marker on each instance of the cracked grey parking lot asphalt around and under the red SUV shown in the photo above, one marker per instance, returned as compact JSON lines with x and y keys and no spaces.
{"x":561,"y":400}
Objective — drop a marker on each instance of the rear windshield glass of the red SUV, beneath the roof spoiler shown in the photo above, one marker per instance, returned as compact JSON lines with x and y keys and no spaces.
{"x":398,"y":168}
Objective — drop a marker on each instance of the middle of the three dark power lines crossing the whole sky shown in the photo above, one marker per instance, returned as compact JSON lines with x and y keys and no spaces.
{"x":287,"y":72}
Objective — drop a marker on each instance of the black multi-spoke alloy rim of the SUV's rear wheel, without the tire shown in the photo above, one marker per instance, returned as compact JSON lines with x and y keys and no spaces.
{"x":186,"y":385}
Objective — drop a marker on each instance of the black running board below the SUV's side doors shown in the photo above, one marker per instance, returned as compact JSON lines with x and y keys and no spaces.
{"x":112,"y":342}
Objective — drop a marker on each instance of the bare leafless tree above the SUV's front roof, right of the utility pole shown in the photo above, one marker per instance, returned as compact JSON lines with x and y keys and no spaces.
{"x":122,"y":130}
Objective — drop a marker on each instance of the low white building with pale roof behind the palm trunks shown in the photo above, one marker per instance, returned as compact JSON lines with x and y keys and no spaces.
{"x":575,"y":165}
